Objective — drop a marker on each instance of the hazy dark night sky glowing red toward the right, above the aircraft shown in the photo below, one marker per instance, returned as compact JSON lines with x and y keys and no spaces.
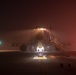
{"x":19,"y":16}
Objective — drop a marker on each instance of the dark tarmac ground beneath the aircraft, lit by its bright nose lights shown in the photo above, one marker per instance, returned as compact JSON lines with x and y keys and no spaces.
{"x":21,"y":63}
